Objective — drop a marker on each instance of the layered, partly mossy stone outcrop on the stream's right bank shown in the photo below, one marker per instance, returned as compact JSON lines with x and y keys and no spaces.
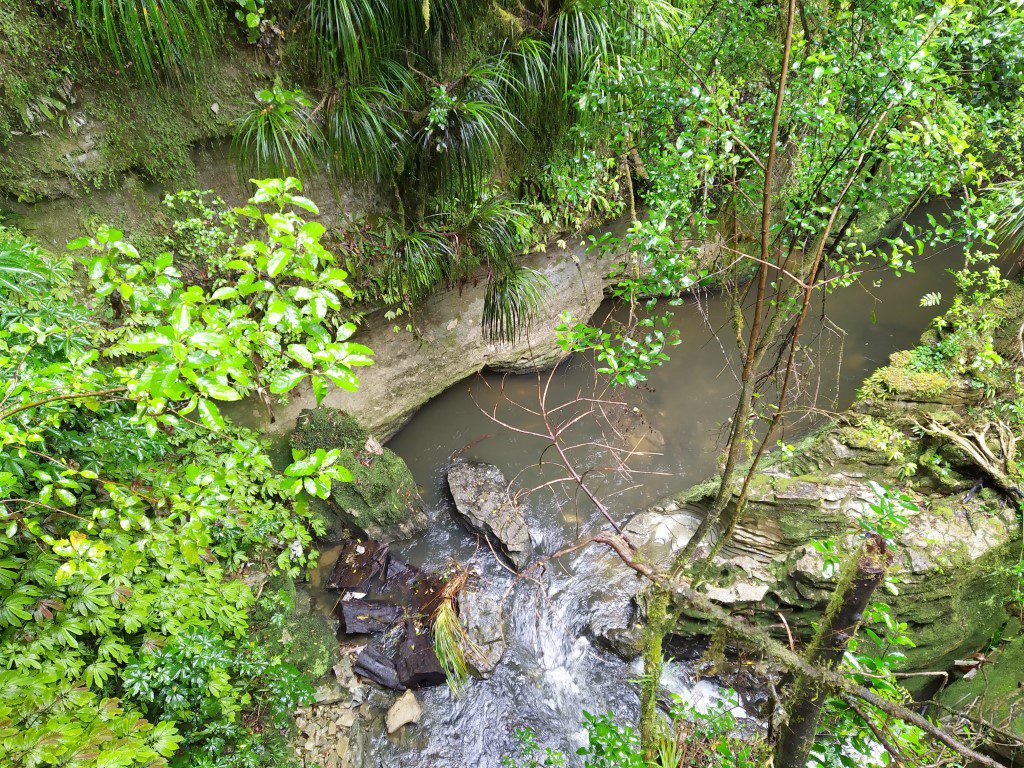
{"x":951,"y":559}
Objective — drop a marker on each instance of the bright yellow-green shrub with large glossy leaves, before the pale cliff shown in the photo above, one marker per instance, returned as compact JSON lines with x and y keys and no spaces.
{"x":264,"y":327}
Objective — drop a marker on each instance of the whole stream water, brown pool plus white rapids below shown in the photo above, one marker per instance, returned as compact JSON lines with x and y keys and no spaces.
{"x":553,"y":671}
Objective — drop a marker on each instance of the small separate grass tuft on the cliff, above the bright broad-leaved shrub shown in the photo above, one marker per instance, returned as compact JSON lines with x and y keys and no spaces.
{"x":278,"y":137}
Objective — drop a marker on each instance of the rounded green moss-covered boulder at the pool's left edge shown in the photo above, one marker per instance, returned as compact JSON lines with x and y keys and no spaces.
{"x":382,"y":498}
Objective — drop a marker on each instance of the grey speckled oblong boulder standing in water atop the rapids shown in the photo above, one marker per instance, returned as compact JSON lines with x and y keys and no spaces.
{"x":482,"y":499}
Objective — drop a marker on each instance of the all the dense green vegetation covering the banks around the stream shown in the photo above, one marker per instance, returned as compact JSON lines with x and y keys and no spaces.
{"x":763,"y":149}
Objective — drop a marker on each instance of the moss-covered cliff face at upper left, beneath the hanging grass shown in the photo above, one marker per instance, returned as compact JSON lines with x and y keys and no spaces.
{"x":115,"y":127}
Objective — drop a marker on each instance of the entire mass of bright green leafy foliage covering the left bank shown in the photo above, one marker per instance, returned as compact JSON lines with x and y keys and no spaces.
{"x":125,"y":522}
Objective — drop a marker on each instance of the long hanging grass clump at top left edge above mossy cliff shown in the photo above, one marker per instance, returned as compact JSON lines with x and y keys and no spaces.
{"x":155,"y":39}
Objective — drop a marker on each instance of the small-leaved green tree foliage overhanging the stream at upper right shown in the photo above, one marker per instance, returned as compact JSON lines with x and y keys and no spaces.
{"x":878,"y":113}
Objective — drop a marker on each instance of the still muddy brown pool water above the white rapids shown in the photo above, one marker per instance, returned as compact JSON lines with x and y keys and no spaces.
{"x":687,"y":403}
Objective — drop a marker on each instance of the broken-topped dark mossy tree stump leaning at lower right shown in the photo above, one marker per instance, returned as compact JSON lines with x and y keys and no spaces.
{"x":861,"y":578}
